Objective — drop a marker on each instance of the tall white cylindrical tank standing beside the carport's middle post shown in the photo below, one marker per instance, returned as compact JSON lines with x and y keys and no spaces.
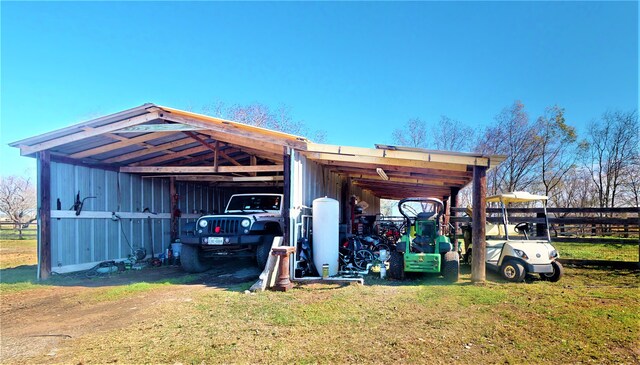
{"x":325,"y":234}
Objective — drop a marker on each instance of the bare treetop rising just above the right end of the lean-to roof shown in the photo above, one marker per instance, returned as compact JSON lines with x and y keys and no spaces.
{"x":452,"y":135}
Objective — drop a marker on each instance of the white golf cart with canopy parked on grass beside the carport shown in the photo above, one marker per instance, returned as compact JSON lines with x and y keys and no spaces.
{"x":510,"y":249}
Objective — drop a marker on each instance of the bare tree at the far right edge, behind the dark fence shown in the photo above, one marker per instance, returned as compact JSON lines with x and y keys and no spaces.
{"x":609,"y":151}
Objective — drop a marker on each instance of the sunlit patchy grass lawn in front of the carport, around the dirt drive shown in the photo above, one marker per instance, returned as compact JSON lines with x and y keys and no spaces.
{"x":589,"y":316}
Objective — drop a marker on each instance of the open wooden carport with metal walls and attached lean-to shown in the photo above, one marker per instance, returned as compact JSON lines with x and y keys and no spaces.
{"x":133,"y":178}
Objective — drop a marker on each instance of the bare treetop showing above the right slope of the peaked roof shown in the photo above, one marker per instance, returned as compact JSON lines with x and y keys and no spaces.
{"x":263,"y":116}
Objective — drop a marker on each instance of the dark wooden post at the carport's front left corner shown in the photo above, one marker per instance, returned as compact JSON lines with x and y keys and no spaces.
{"x":44,"y":214}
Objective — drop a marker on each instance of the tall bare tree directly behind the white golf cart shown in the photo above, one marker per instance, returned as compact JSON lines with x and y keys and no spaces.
{"x":515,"y":137}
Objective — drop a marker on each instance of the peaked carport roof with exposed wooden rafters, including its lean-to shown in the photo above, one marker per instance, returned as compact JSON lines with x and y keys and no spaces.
{"x":154,"y":139}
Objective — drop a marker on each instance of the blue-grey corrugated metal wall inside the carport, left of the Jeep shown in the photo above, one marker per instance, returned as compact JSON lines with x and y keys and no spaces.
{"x":77,"y":241}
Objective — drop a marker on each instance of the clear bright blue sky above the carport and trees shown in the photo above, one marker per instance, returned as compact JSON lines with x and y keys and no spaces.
{"x":357,"y":70}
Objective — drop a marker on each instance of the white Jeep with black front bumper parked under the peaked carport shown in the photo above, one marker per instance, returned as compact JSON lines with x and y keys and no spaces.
{"x":246,"y":228}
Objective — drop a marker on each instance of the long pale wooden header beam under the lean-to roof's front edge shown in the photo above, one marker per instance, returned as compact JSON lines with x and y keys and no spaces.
{"x":337,"y":160}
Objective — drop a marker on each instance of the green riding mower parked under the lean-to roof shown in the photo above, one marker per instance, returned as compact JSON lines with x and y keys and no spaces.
{"x":423,"y":248}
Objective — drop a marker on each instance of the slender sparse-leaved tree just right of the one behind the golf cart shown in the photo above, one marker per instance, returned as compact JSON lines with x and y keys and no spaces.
{"x":557,"y":148}
